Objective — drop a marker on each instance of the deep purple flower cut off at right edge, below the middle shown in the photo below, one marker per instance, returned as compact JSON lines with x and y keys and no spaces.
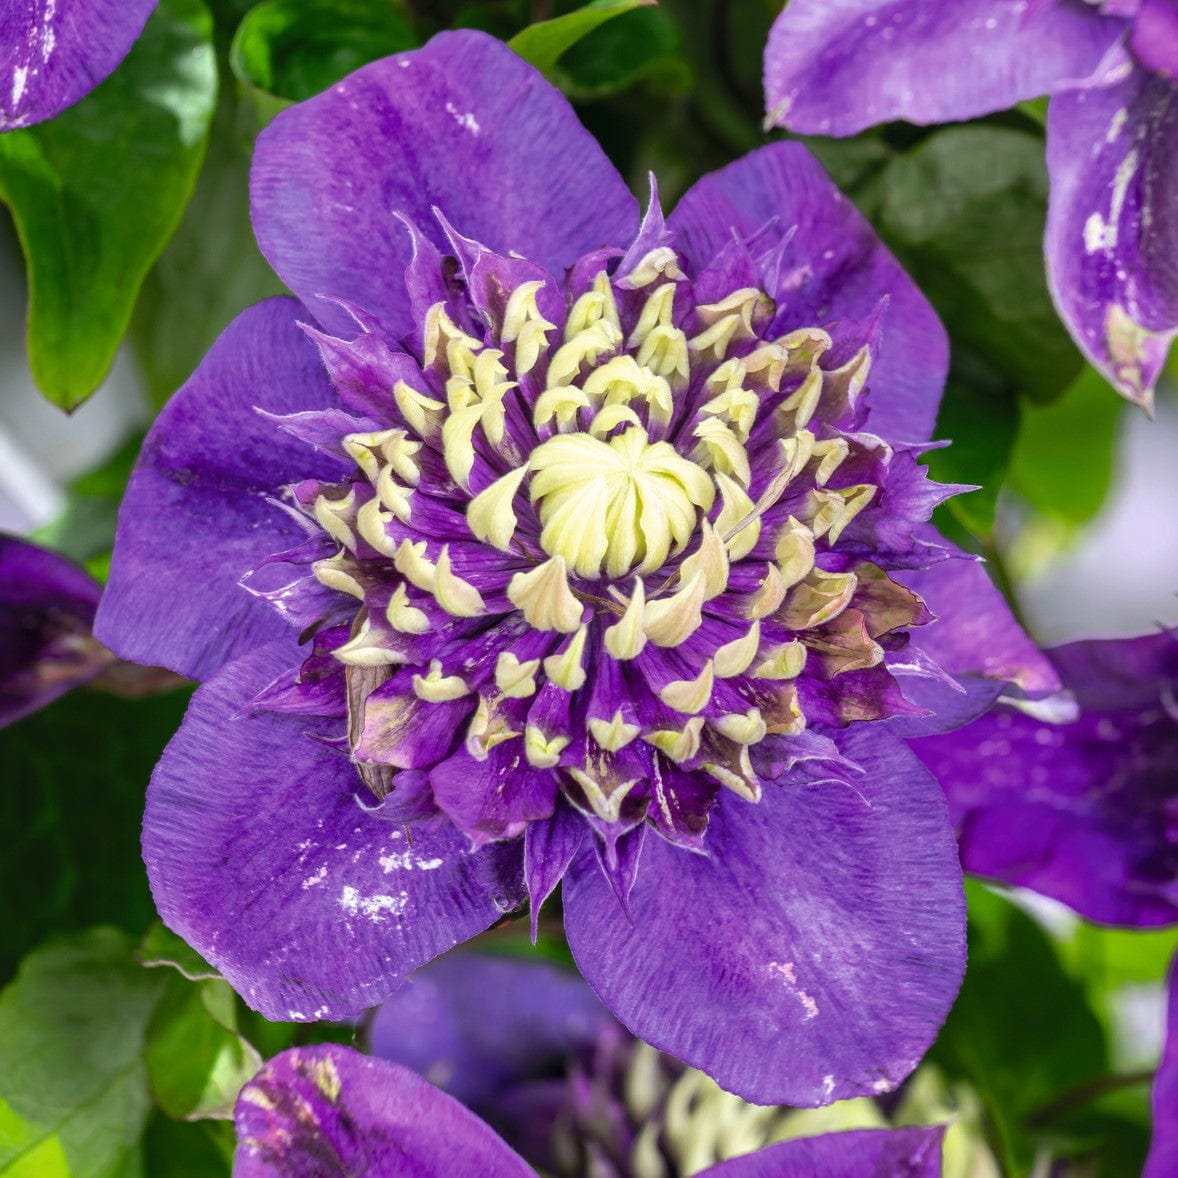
{"x":1086,"y":812}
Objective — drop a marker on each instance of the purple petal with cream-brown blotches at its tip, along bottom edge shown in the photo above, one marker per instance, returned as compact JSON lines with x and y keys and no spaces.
{"x":329,"y":1110}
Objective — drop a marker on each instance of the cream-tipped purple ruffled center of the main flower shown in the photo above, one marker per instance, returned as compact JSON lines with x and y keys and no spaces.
{"x":599,"y":538}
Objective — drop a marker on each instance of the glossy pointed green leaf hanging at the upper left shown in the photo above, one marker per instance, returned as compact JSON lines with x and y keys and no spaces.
{"x":97,"y":193}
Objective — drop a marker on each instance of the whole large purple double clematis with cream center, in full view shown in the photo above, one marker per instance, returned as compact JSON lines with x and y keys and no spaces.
{"x":574,"y":548}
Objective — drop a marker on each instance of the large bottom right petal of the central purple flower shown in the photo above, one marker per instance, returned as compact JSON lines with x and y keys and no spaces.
{"x":816,"y":952}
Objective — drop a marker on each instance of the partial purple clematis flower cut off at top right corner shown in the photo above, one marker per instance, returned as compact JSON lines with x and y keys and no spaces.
{"x":1111,"y":67}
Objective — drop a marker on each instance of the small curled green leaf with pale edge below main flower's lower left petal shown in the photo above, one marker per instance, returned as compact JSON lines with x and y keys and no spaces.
{"x":196,"y":1060}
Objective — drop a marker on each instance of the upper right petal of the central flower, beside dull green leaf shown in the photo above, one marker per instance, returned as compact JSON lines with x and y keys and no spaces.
{"x":835,"y":268}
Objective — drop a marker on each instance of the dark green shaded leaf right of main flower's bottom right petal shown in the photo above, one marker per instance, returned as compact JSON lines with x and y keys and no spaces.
{"x":1022,"y":1033}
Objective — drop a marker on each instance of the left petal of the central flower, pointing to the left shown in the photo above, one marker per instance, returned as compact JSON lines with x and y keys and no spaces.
{"x":196,"y":517}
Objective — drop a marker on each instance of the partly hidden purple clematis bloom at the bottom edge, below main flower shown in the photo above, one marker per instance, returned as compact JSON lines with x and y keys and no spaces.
{"x":528,"y":1049}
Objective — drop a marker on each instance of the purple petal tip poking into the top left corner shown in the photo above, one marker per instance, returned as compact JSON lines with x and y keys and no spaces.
{"x":55,"y":52}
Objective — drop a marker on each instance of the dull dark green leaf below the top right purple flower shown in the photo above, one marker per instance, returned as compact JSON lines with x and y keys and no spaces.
{"x":965,"y":211}
